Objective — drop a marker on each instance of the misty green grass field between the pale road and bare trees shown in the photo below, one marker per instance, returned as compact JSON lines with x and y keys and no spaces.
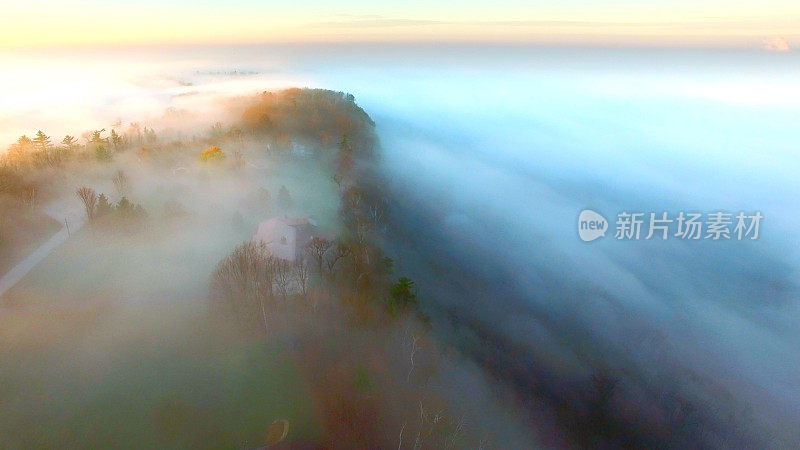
{"x":108,"y":342}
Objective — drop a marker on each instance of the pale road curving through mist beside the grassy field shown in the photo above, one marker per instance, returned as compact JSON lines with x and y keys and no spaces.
{"x":65,"y":209}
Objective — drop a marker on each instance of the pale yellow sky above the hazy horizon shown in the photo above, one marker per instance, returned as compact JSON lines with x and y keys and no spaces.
{"x":736,"y":23}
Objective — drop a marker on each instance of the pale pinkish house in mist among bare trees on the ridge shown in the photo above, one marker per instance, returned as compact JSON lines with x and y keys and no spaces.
{"x":286,"y":237}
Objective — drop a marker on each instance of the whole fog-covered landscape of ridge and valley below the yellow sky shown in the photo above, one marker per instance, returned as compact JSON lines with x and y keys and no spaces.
{"x":234,"y":265}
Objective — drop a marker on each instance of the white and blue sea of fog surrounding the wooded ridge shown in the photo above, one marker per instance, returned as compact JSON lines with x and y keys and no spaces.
{"x":491,"y":152}
